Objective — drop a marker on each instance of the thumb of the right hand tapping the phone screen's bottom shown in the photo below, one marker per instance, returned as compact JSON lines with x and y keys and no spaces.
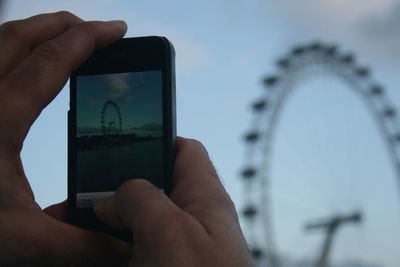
{"x":137,"y":206}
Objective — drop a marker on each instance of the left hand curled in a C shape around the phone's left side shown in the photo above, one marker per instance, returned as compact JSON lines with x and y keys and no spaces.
{"x":37,"y":55}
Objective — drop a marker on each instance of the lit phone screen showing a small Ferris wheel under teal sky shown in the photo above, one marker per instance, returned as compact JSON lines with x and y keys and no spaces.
{"x":119,"y":132}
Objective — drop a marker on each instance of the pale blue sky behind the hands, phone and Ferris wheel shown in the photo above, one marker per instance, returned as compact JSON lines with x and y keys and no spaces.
{"x":328,"y":158}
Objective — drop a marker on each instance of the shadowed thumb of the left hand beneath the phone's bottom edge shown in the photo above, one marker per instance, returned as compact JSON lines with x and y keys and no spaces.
{"x":49,"y":242}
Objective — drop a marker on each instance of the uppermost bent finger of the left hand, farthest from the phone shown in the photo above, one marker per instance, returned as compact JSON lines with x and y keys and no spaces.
{"x":18,"y":38}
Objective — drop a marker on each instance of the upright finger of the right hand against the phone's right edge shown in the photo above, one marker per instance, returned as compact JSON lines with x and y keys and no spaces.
{"x":199,"y":191}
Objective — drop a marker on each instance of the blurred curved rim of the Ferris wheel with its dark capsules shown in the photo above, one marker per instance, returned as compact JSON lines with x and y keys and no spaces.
{"x":300,"y":64}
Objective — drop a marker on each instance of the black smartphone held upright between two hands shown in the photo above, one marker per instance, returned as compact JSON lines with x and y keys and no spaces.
{"x":121,"y":124}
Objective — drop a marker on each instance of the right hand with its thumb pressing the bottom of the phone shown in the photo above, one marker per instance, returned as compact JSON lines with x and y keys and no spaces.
{"x":196,"y":227}
